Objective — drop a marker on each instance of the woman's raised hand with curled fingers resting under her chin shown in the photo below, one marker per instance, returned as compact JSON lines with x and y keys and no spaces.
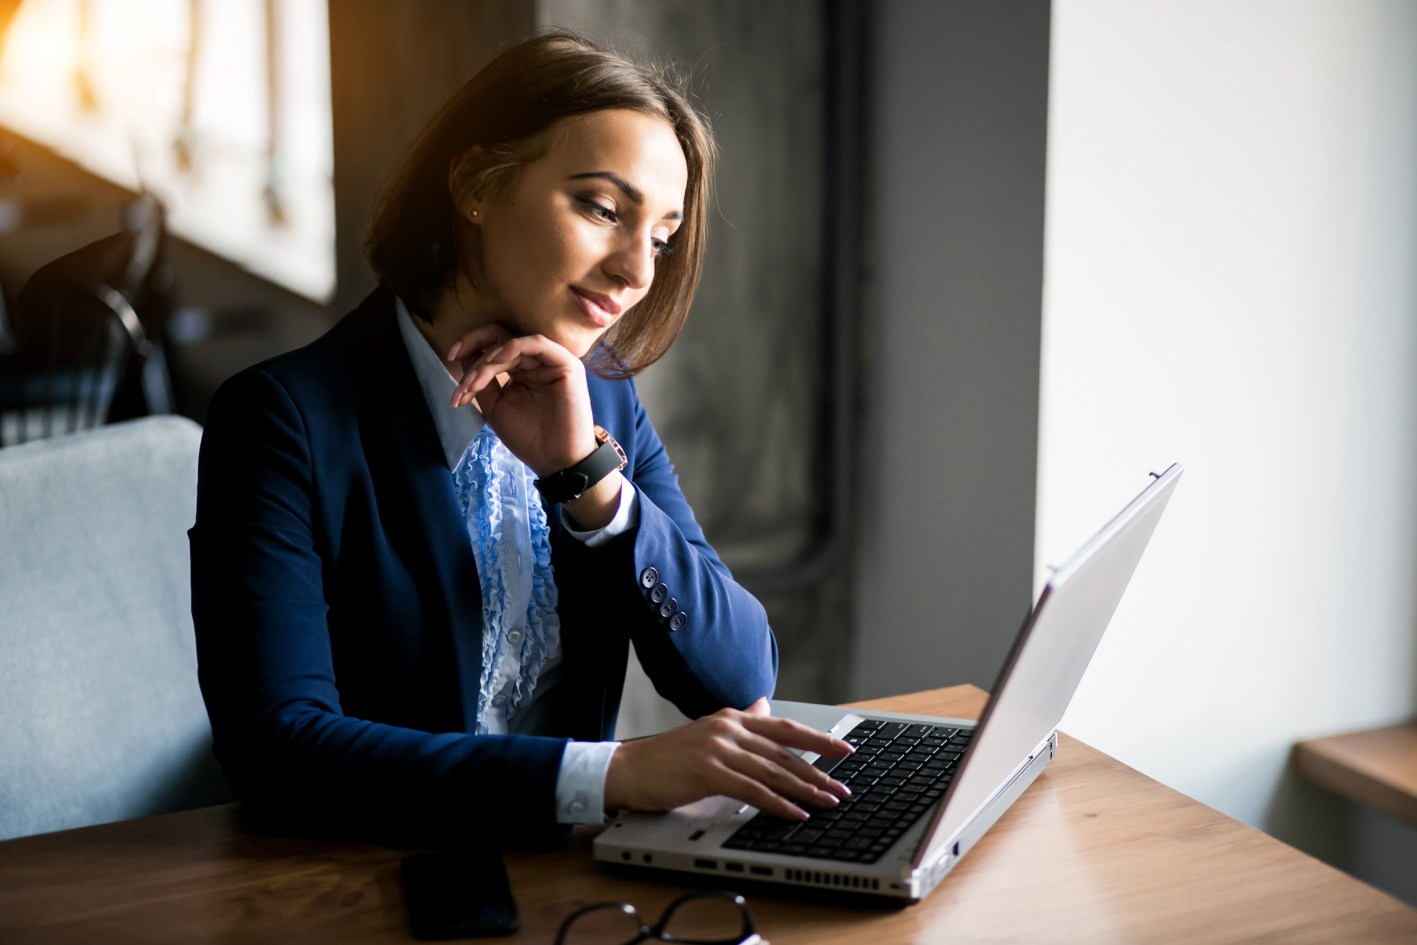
{"x":543,"y":412}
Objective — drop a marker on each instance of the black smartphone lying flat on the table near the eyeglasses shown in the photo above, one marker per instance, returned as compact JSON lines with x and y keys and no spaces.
{"x":458,"y":895}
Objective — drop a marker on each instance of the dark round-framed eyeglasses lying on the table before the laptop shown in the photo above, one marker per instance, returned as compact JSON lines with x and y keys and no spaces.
{"x":713,"y":917}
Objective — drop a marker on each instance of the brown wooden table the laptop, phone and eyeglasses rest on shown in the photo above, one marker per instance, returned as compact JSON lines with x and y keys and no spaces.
{"x":1093,"y":852}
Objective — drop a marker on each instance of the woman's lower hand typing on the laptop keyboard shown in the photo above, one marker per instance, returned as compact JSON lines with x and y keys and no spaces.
{"x":740,"y":754}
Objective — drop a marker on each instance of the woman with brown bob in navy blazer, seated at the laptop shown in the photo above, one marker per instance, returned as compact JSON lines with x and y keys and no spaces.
{"x":414,"y":584}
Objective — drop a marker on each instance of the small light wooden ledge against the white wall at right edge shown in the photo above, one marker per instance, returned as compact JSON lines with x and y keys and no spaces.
{"x":1377,"y":769}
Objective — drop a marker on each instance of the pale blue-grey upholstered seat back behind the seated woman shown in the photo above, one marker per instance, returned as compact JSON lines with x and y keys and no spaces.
{"x":101,"y":718}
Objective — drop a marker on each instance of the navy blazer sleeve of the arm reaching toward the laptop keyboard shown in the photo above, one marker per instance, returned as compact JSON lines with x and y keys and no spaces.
{"x":267,"y":671}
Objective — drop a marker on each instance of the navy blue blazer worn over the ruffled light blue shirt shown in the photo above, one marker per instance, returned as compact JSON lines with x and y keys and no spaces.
{"x":339,"y":616}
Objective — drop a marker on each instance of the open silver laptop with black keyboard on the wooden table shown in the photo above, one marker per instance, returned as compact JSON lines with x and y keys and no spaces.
{"x":925,"y":790}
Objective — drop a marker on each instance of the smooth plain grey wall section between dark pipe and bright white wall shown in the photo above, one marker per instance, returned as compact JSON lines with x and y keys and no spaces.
{"x":957,"y":141}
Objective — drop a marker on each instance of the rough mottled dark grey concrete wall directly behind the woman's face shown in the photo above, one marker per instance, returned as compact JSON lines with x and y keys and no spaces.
{"x":738,"y":399}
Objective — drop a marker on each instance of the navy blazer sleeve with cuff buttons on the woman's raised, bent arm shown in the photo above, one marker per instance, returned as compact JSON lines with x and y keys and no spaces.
{"x":715,"y":648}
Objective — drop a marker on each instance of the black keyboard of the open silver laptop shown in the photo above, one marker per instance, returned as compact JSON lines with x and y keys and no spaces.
{"x":898,"y":773}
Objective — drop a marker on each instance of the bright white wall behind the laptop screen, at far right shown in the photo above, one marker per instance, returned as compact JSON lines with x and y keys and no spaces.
{"x":1229,"y":283}
